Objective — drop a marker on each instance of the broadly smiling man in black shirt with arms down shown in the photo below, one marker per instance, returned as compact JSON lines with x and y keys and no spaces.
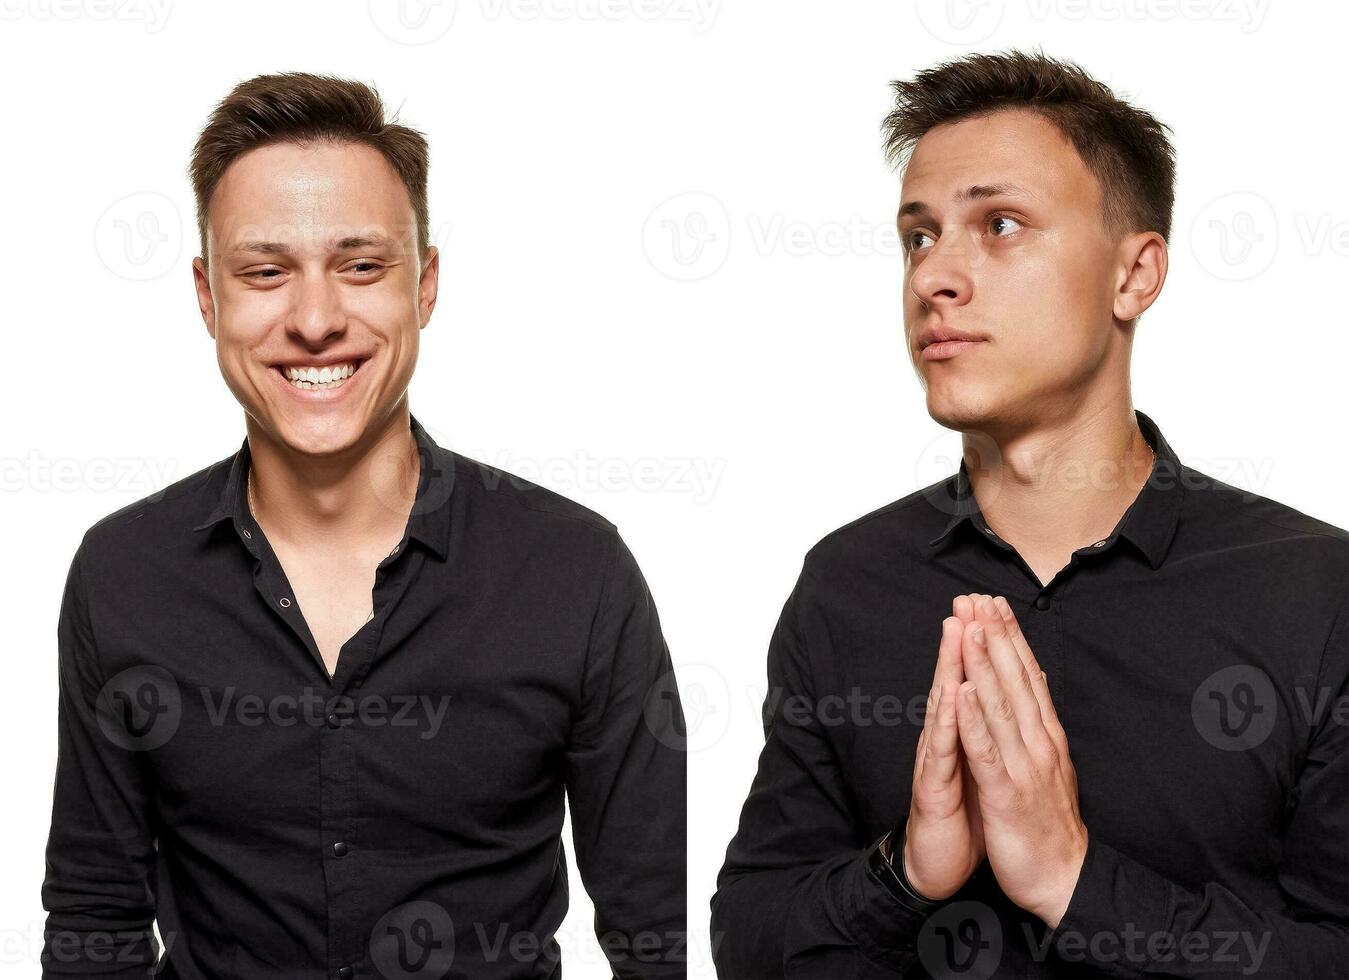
{"x":323,"y":701}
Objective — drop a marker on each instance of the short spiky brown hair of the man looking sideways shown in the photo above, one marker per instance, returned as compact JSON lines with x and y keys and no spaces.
{"x":1124,"y":148}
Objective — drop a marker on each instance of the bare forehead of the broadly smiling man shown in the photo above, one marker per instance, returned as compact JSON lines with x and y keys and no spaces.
{"x":310,"y":194}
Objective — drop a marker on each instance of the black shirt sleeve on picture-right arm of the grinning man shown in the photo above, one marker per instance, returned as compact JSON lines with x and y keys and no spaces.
{"x":627,"y":782}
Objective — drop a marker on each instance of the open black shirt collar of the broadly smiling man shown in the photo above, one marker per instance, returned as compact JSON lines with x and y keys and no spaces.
{"x":428,"y":522}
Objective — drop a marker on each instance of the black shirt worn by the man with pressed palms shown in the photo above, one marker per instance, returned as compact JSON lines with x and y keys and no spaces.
{"x":1199,"y":659}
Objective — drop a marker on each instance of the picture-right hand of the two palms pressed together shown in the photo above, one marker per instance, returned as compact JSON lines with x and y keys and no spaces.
{"x":1018,"y":755}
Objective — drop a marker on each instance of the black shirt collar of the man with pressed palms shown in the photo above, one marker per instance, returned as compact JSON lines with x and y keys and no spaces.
{"x":1150,"y":522}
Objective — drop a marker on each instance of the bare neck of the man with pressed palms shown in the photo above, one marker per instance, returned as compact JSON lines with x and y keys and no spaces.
{"x":1053,"y":487}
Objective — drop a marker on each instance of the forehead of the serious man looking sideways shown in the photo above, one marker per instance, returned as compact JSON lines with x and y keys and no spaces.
{"x":1010,"y":146}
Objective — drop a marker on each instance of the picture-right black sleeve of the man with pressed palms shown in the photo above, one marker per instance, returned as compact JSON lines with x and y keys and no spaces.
{"x":1122,"y":905}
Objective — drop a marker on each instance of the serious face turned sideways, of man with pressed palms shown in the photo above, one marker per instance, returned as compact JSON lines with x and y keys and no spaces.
{"x":1004,"y":241}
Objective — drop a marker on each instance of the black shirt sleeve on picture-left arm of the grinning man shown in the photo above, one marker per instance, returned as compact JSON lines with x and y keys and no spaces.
{"x":101,"y":862}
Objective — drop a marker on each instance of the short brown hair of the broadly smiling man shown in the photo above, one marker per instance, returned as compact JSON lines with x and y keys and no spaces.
{"x":299,"y":107}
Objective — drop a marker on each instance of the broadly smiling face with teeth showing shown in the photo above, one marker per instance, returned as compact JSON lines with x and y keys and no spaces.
{"x":316,"y":292}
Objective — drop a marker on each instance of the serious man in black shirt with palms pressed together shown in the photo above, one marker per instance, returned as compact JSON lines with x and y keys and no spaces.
{"x":1099,"y":699}
